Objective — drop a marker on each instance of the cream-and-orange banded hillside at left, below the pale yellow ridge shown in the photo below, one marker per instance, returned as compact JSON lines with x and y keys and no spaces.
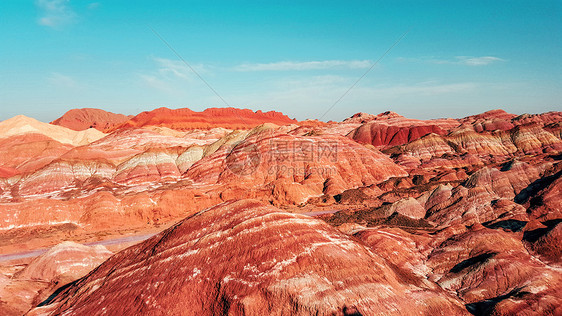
{"x":49,"y":168}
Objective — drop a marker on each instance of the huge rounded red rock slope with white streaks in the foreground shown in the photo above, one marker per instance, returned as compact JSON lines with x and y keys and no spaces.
{"x":248,"y":258}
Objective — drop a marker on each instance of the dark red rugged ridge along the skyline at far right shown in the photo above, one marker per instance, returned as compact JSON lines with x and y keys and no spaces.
{"x":390,"y":129}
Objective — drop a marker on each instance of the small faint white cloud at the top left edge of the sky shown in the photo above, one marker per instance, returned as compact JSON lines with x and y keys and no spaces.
{"x":54,"y":13}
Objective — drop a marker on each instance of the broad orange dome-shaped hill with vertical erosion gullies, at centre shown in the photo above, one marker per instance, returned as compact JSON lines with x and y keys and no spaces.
{"x":305,"y":166}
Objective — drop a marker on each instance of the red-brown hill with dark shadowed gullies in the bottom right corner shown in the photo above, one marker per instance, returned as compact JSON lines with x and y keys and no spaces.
{"x":493,"y":273}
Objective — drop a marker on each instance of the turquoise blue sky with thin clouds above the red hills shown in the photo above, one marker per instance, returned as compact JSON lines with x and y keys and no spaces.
{"x":298,"y":57}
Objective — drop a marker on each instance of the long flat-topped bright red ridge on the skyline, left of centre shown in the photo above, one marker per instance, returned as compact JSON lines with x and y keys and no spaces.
{"x":186,"y":119}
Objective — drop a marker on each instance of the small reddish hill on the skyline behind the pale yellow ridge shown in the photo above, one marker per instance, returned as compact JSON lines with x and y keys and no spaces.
{"x":81,"y":119}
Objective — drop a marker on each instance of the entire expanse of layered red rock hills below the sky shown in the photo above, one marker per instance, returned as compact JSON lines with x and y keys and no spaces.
{"x":448,"y":216}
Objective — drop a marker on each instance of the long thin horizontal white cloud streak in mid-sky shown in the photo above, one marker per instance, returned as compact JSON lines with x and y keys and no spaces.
{"x":307,"y":65}
